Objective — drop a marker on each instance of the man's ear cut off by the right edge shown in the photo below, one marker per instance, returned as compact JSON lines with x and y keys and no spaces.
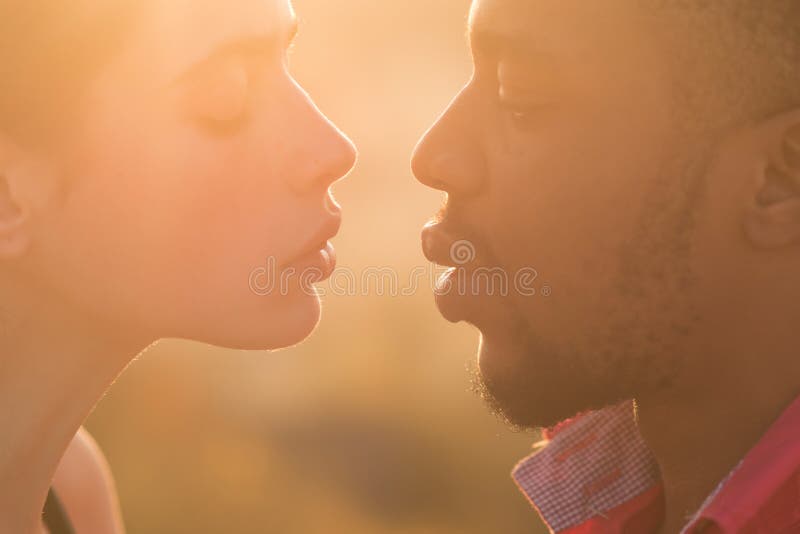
{"x":773,"y":218}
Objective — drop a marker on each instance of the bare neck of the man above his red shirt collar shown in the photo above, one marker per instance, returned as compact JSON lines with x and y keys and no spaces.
{"x":700,"y":435}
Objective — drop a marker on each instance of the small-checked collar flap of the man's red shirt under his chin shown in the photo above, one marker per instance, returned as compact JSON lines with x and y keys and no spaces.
{"x":588,"y":468}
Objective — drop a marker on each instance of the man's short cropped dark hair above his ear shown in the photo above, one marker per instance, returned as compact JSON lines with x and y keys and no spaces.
{"x":740,"y":58}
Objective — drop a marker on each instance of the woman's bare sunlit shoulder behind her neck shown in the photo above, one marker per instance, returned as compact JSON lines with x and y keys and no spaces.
{"x":85,"y":486}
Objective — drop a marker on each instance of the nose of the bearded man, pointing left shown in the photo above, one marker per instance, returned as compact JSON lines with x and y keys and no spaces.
{"x":449,"y":157}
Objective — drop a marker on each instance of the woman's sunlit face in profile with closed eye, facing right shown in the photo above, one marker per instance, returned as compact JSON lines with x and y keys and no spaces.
{"x":196,"y":201}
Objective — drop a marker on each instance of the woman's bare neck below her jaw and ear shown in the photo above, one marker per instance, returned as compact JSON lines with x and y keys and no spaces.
{"x":54,"y":367}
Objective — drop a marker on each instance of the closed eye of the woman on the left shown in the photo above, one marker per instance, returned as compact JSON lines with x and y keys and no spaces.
{"x":217,"y":96}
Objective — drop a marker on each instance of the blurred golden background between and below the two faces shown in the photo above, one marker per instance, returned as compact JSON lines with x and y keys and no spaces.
{"x":371,"y":425}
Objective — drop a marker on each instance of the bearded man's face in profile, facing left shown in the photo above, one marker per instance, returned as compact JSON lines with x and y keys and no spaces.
{"x":566,"y":154}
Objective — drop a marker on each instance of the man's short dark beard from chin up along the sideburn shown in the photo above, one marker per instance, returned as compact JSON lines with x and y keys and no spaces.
{"x":530,"y":382}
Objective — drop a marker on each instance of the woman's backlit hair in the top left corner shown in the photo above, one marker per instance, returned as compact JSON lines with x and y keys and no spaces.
{"x":50,"y":50}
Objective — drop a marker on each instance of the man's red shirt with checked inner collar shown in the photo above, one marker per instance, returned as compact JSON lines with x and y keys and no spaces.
{"x":594,"y":474}
